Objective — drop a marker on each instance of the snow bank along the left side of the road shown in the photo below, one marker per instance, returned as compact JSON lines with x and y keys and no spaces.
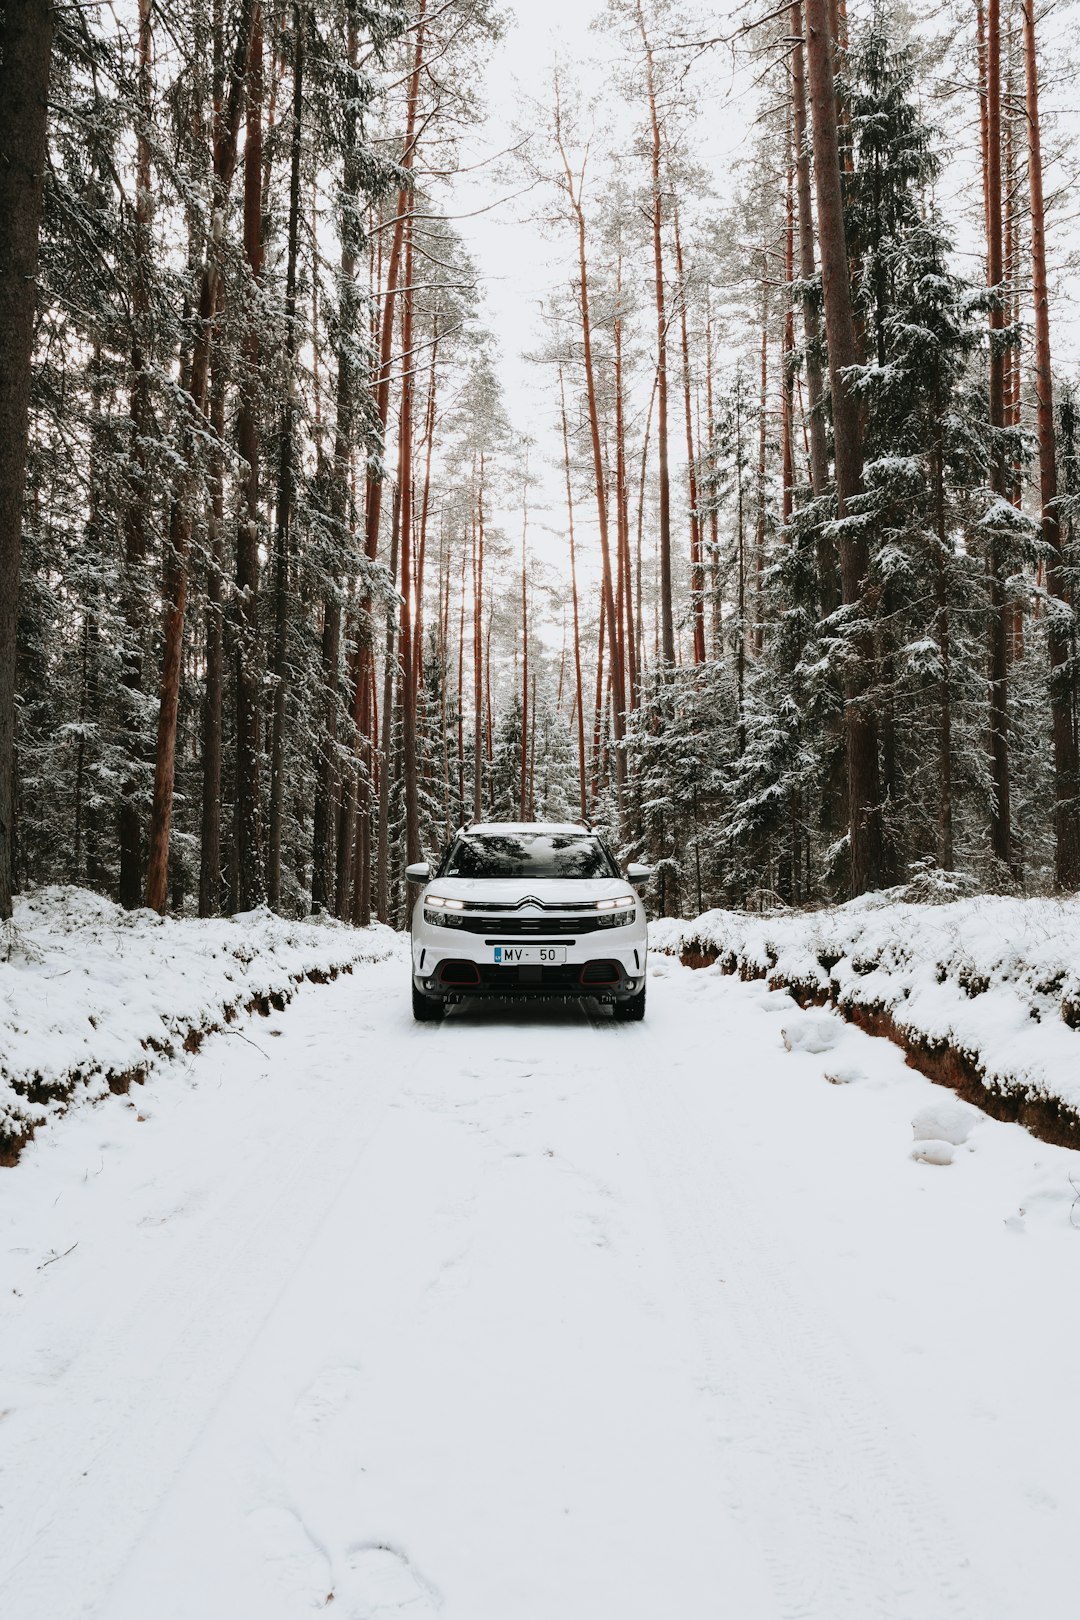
{"x":91,"y":995}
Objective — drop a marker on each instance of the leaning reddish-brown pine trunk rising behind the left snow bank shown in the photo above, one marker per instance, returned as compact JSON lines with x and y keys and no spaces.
{"x":182,"y":519}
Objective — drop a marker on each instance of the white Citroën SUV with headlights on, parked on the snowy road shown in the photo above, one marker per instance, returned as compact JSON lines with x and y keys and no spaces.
{"x":529,"y":910}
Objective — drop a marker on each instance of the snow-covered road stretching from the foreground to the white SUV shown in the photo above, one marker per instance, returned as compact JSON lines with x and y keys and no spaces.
{"x":530,"y":1316}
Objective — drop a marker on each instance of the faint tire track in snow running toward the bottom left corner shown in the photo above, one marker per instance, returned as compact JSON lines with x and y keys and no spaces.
{"x":164,"y":1366}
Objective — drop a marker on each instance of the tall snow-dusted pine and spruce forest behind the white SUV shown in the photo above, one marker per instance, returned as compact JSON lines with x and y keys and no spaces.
{"x":276,"y":608}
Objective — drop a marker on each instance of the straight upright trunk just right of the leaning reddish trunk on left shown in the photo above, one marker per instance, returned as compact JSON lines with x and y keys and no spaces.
{"x":250,"y":885}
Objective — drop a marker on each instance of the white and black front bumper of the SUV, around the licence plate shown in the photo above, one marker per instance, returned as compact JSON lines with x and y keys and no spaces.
{"x":608,"y":965}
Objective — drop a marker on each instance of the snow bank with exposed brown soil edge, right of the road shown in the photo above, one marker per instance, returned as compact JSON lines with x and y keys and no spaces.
{"x":982,"y":994}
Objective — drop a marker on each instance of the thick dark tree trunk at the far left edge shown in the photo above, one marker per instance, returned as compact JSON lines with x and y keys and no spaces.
{"x":25,"y":67}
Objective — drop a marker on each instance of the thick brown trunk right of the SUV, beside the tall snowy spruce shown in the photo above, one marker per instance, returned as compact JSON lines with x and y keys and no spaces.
{"x":861,"y":722}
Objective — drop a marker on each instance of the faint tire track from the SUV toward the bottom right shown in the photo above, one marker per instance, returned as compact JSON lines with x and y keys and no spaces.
{"x":856,"y":1533}
